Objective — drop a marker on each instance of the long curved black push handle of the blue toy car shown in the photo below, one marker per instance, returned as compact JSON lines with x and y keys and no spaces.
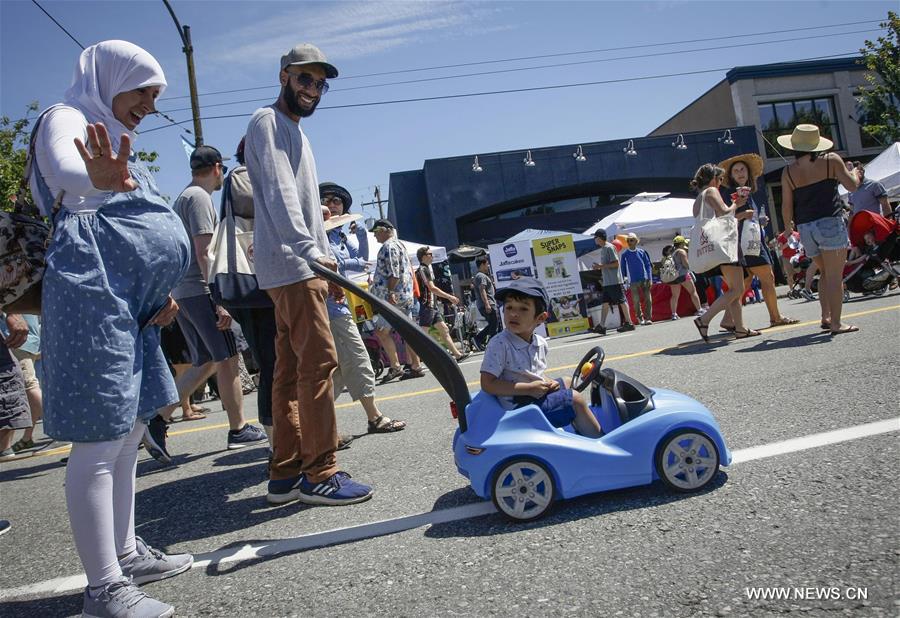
{"x":430,"y":352}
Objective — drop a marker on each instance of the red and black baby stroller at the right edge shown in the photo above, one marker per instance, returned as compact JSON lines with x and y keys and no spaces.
{"x":874,"y":240}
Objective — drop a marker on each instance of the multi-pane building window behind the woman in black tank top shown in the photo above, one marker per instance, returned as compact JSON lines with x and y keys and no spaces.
{"x":780,"y":117}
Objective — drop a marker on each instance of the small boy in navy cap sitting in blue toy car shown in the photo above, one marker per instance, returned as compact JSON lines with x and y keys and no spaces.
{"x":516,"y":358}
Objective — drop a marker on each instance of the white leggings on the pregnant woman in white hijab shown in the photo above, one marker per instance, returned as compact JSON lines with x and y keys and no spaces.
{"x":100,"y":499}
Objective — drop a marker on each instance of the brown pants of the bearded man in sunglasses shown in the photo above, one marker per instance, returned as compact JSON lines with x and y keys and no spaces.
{"x":305,"y":430}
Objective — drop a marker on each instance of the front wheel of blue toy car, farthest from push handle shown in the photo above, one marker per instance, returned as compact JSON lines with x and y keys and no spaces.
{"x":687,"y":460}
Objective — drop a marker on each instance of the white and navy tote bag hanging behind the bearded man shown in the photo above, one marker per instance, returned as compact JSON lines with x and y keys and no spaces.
{"x":232,"y":277}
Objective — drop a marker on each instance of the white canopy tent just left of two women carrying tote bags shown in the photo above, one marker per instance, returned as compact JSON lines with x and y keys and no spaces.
{"x":654,"y":217}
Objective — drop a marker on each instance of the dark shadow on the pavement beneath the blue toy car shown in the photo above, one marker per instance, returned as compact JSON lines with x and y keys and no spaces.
{"x":564,"y":511}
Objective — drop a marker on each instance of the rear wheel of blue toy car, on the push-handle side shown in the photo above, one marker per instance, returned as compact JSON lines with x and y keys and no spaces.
{"x":523,"y":489}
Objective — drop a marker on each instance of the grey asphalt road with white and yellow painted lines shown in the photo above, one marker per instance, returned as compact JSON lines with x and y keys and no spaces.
{"x":821,"y":522}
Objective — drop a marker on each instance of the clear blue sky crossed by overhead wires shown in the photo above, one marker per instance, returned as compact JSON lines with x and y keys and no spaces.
{"x":238,"y":45}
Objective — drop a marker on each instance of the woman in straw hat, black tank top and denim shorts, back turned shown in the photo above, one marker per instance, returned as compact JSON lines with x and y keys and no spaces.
{"x":810,"y":202}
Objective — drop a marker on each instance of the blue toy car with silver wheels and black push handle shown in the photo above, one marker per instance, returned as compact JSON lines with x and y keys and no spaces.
{"x":521,"y":462}
